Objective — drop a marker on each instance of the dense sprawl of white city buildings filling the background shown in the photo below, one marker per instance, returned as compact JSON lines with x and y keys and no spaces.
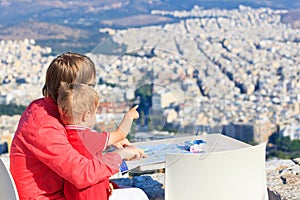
{"x":234,"y":72}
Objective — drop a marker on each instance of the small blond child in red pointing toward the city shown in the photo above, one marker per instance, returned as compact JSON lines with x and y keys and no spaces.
{"x":77,"y":105}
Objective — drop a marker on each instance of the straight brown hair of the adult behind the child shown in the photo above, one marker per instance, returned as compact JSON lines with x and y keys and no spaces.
{"x":70,"y":68}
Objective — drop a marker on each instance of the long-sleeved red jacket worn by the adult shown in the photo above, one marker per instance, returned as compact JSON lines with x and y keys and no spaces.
{"x":41,"y":156}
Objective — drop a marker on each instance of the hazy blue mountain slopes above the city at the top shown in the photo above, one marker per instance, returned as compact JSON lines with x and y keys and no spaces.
{"x":74,"y":25}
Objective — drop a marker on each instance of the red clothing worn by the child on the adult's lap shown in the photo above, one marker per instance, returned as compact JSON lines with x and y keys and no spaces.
{"x":90,"y":144}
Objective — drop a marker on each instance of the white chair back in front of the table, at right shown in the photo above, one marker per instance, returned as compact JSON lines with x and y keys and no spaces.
{"x":226,"y":175}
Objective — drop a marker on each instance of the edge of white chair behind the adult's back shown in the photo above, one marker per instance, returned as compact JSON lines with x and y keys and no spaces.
{"x":8,"y":190}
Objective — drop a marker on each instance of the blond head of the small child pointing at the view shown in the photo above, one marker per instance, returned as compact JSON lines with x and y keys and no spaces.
{"x":74,"y":100}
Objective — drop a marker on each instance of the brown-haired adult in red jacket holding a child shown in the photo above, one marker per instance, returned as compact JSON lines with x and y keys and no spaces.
{"x":41,"y":156}
